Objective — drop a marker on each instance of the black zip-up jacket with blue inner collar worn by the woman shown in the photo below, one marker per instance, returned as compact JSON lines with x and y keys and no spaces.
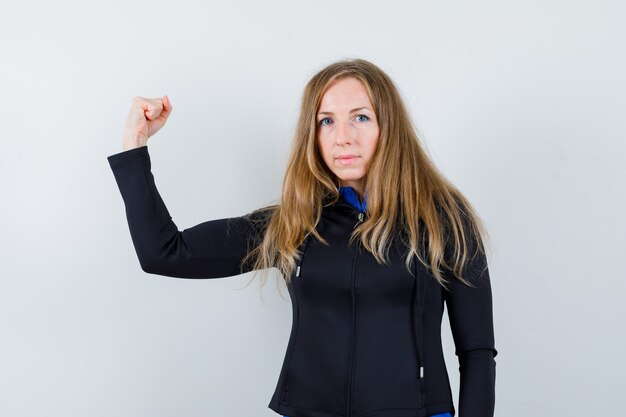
{"x":365,"y":338}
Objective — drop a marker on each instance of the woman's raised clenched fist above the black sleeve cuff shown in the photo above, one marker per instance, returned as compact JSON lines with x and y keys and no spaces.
{"x":145,"y":118}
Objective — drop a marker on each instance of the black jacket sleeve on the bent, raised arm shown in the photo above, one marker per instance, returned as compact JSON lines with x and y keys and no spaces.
{"x":213,"y":249}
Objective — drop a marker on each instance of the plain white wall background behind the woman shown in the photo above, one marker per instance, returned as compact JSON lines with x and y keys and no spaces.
{"x":521,"y":104}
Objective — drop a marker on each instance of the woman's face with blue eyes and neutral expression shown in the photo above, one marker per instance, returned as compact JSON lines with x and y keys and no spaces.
{"x":347,"y":131}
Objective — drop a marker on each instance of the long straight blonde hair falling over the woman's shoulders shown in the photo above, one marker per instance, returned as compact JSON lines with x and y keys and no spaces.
{"x":406,"y":194}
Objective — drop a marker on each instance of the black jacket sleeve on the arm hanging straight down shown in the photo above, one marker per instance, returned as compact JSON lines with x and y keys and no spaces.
{"x":471,"y":321}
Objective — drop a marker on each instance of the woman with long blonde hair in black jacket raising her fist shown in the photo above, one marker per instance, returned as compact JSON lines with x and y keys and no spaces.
{"x":371,"y":240}
